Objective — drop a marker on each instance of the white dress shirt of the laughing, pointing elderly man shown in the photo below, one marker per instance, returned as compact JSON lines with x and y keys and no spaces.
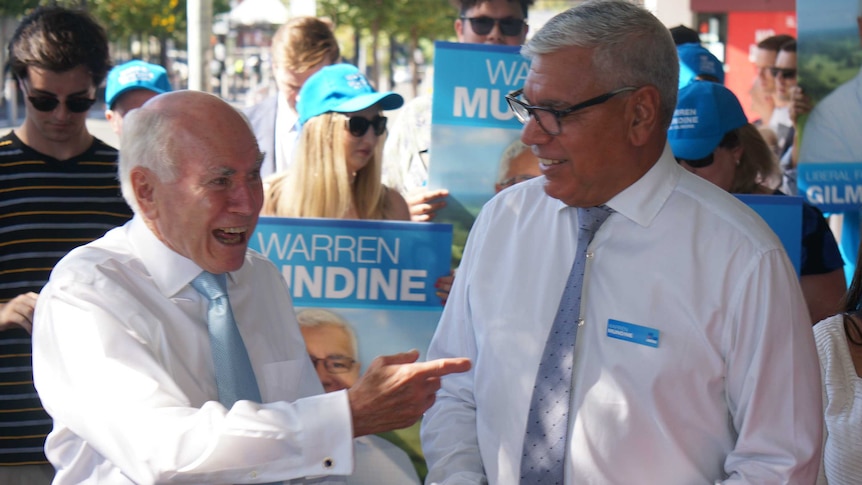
{"x":122,"y":362}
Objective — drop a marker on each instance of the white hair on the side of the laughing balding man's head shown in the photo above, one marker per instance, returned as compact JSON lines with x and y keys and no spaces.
{"x":146,"y":142}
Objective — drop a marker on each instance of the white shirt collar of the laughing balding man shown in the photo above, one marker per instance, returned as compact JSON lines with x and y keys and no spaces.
{"x":170,"y":271}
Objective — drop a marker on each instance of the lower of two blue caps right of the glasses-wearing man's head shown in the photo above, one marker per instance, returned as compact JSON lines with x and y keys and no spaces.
{"x":705,"y":112}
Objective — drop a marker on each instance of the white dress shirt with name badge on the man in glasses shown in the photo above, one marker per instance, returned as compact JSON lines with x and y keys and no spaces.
{"x":731,"y":393}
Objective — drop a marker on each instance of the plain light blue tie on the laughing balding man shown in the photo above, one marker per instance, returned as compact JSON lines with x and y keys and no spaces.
{"x":234,"y":376}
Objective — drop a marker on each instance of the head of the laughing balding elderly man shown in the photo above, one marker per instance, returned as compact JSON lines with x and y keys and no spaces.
{"x":190,"y":168}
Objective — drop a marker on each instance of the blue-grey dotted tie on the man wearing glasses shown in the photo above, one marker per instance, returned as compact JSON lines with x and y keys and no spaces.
{"x":548,"y":422}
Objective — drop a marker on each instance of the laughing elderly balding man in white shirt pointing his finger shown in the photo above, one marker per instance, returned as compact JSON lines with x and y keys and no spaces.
{"x":122,"y":352}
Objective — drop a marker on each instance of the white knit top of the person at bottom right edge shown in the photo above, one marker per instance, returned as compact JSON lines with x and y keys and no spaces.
{"x":842,"y":405}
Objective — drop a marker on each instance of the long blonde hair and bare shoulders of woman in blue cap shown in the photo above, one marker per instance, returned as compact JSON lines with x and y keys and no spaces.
{"x":318,"y":184}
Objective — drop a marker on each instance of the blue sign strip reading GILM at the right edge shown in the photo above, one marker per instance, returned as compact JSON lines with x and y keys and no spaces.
{"x":833,"y":187}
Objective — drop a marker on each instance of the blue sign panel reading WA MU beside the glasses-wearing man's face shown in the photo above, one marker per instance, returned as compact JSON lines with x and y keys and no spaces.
{"x":471,"y":82}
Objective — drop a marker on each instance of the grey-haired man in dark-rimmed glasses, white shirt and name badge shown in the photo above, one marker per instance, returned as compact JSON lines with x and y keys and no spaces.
{"x":627,"y":322}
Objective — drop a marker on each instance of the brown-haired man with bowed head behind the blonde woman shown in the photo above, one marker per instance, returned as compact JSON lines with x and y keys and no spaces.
{"x":300,"y":48}
